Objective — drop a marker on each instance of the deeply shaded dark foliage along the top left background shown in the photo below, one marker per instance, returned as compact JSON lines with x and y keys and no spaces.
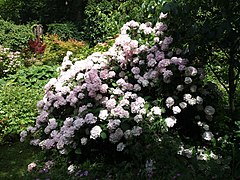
{"x":42,"y":11}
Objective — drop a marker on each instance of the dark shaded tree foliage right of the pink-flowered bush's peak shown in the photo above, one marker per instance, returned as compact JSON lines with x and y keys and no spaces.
{"x":209,"y":32}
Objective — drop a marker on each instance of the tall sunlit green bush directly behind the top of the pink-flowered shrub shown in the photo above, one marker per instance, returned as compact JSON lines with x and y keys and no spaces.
{"x":103,"y":19}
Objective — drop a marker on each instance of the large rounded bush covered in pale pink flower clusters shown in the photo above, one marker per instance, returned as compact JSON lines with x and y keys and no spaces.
{"x":113,"y":96}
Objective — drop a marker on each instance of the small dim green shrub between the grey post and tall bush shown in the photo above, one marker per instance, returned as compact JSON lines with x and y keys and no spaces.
{"x":64,"y":31}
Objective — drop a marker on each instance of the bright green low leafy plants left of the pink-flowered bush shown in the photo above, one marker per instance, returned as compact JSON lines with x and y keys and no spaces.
{"x":19,"y":94}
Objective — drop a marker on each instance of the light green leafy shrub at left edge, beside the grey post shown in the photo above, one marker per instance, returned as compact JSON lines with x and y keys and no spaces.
{"x":14,"y":36}
